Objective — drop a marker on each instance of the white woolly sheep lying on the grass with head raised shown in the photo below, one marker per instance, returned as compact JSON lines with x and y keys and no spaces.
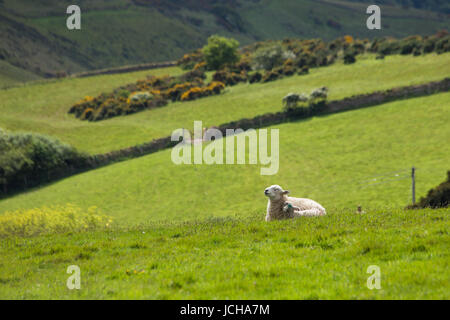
{"x":280,"y":206}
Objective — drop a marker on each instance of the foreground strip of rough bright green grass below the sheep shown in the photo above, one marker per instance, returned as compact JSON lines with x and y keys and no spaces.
{"x":321,"y":258}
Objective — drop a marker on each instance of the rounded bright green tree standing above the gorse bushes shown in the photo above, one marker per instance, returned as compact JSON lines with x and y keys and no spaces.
{"x":220,"y":52}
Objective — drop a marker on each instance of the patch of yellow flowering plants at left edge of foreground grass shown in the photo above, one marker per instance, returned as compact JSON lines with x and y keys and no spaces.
{"x":51,"y":220}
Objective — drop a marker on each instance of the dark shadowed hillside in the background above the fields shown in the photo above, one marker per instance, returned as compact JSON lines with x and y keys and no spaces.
{"x":120,"y":32}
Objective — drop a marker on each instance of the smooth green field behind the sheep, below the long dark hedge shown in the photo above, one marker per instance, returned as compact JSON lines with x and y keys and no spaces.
{"x":390,"y":137}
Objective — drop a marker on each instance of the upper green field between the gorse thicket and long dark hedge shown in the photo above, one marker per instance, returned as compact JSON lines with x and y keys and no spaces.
{"x":43,"y":107}
